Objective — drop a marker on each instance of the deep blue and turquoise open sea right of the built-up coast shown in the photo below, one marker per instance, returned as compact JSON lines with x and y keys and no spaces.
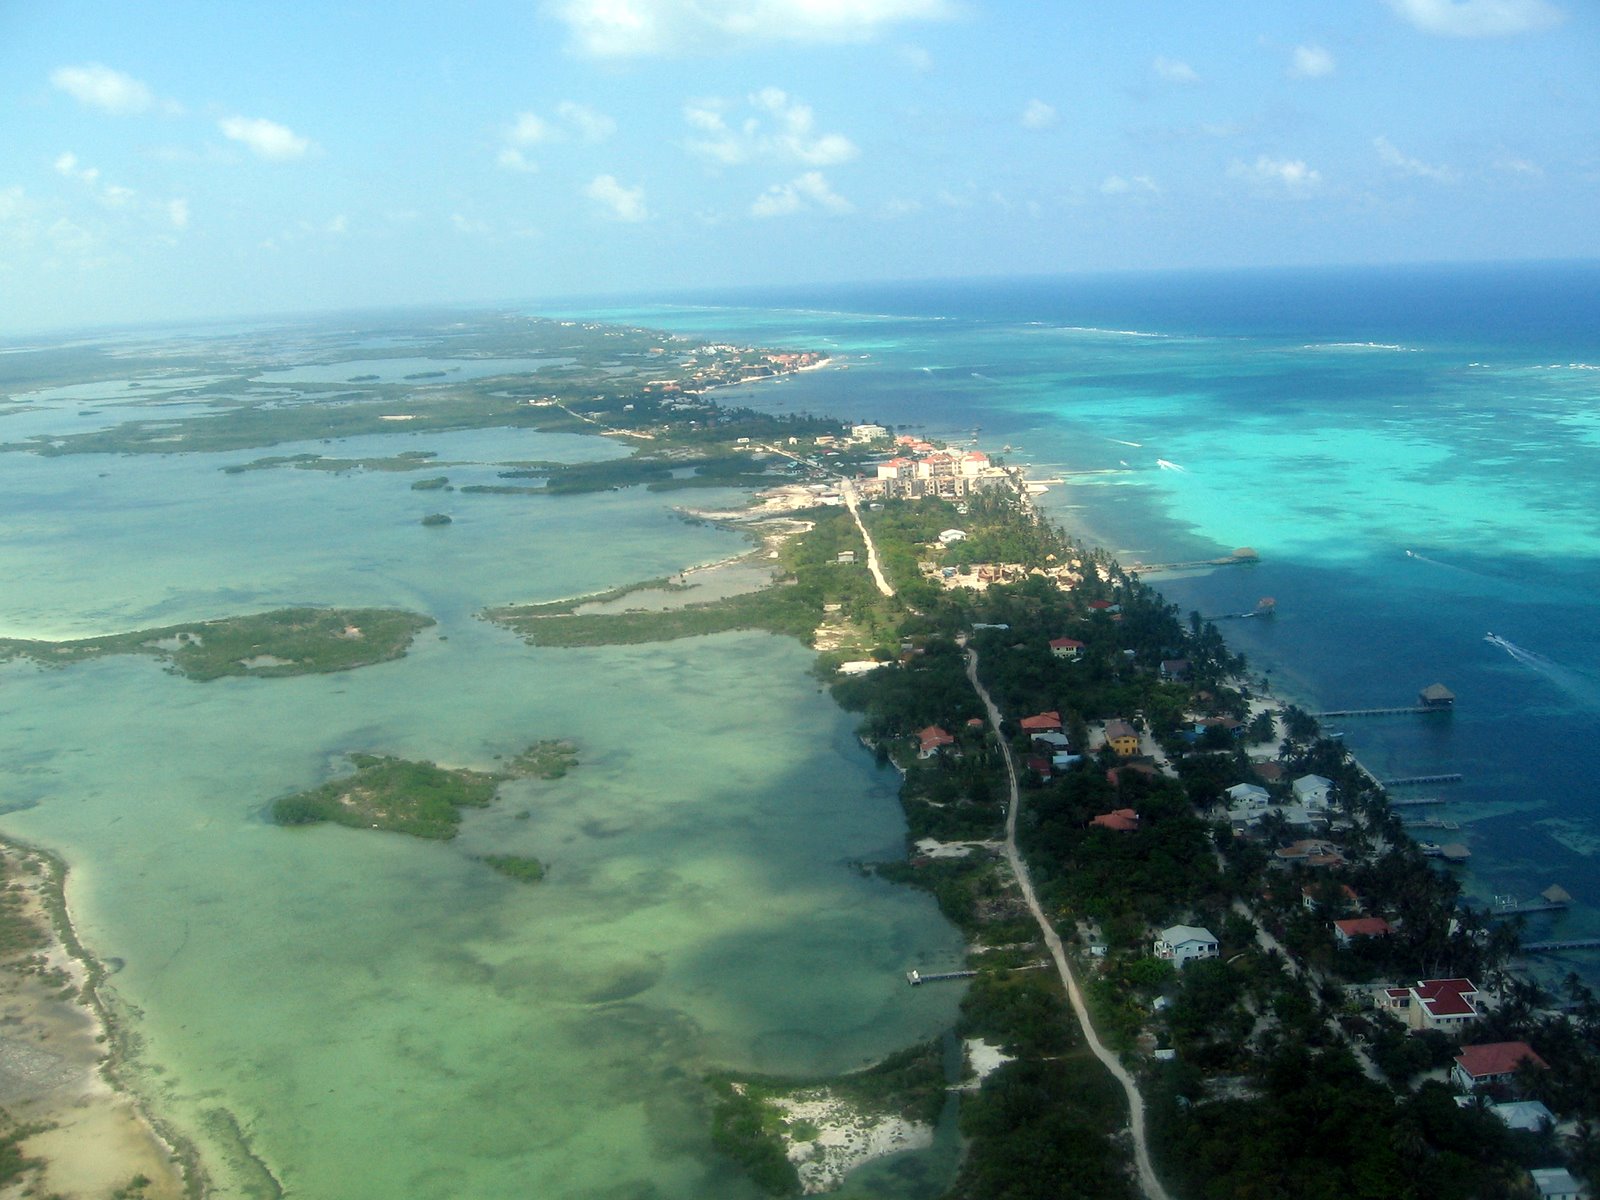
{"x":1412,"y":452}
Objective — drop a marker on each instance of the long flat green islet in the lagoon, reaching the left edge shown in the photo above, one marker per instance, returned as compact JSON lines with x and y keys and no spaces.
{"x":265,"y":646}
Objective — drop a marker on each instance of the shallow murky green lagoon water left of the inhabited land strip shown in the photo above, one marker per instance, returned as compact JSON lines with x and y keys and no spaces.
{"x":377,"y":1017}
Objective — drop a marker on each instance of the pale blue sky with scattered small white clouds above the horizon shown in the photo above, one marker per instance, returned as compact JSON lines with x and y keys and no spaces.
{"x":201,"y":159}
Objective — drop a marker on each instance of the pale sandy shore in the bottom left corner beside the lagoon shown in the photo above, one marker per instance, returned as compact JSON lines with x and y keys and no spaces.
{"x":86,"y":1138}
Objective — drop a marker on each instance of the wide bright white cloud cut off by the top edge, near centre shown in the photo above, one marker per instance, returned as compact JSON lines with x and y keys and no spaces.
{"x":639,"y":28}
